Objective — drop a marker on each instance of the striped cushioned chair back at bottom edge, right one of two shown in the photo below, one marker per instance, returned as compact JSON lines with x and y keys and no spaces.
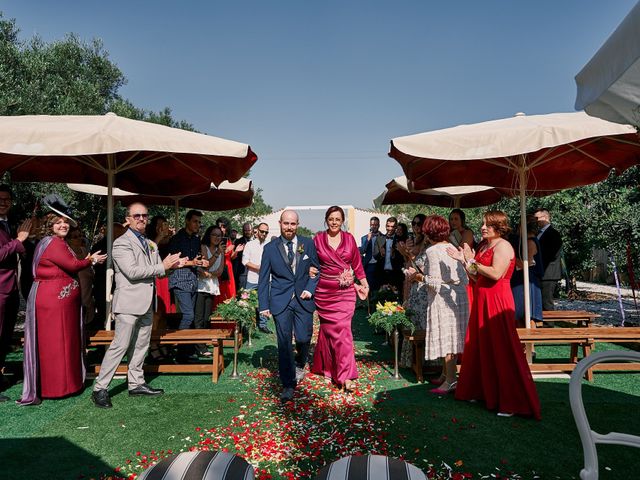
{"x":370,"y":467}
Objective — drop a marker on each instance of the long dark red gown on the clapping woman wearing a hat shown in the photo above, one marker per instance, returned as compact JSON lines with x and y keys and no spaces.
{"x":58,"y":321}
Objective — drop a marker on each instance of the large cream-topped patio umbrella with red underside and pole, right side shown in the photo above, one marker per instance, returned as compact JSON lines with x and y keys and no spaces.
{"x":525,"y":154}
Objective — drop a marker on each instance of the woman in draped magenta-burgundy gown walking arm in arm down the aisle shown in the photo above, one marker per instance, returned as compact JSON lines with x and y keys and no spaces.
{"x":336,"y":300}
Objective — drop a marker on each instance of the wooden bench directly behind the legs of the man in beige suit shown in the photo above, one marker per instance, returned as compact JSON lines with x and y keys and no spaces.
{"x":213,"y":337}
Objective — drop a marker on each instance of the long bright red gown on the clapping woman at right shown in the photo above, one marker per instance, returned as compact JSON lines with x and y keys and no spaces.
{"x":494,"y":368}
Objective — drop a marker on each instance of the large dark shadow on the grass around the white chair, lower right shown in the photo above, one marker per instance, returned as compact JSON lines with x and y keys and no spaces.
{"x":440,"y":428}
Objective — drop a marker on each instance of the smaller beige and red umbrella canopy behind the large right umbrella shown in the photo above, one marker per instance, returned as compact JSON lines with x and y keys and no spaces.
{"x":398,"y":192}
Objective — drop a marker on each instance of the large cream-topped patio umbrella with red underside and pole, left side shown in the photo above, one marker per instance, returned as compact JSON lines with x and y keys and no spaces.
{"x":108,"y":150}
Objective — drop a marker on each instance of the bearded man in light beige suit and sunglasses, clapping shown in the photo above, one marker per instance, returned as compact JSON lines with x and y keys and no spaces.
{"x":137,"y":263}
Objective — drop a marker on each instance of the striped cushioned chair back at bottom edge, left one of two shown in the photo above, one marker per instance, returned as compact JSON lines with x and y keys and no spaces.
{"x":200,"y":466}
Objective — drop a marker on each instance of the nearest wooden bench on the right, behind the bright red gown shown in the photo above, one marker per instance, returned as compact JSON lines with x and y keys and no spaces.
{"x":584,"y":337}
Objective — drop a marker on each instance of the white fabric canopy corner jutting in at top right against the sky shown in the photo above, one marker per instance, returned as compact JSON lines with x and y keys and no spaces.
{"x":609,"y":85}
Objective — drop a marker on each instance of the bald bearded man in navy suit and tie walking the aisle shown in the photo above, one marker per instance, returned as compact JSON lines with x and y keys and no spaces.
{"x":286,"y":261}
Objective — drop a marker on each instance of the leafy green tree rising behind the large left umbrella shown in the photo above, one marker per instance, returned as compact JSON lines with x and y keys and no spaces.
{"x":73,"y":77}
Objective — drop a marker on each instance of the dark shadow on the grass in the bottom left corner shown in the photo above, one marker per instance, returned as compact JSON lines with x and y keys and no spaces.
{"x":47,"y":457}
